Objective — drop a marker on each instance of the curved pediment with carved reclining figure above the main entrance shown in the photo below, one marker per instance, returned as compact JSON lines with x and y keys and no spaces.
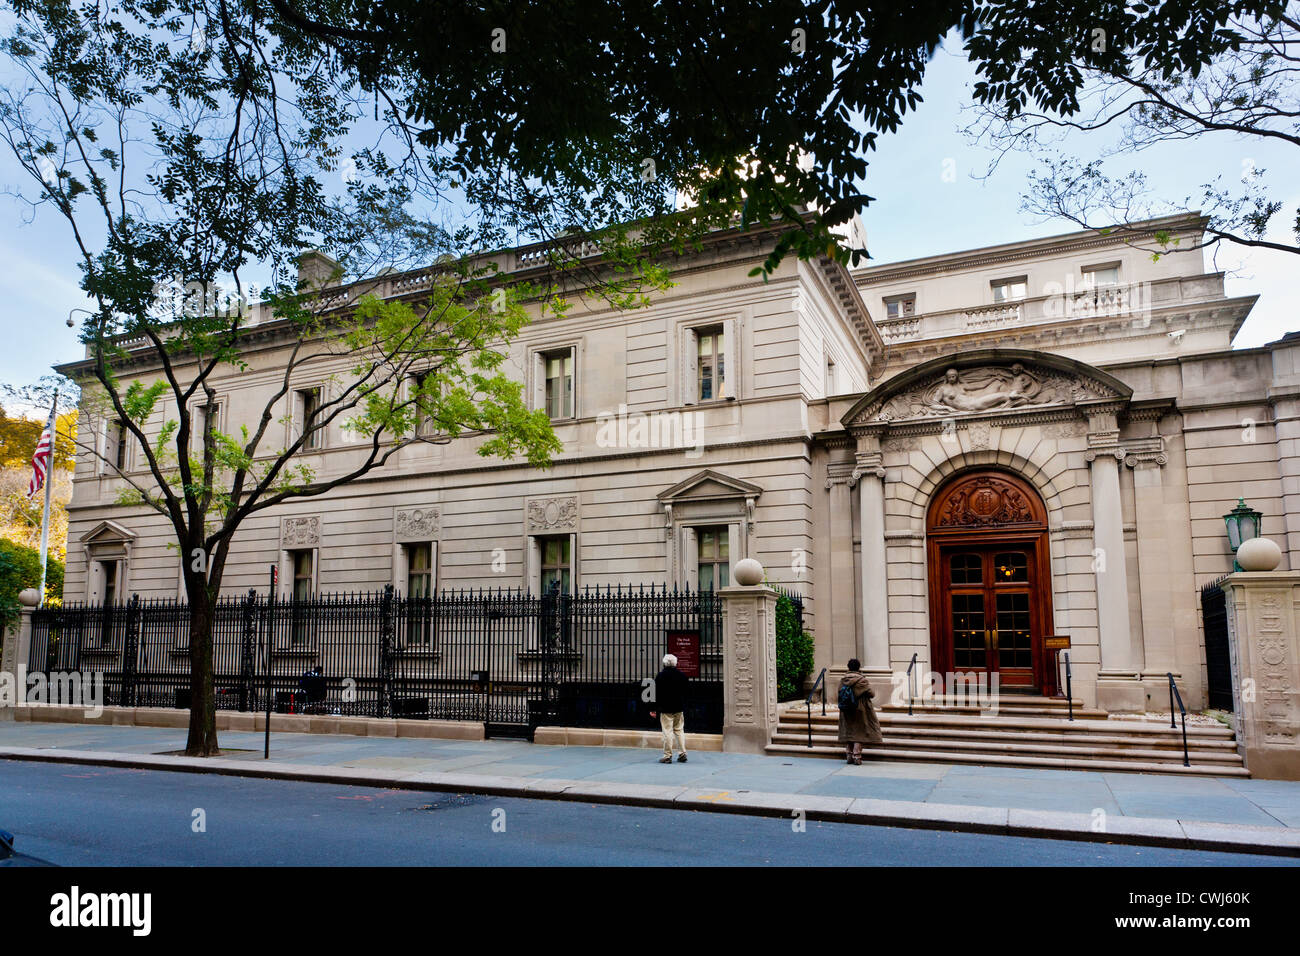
{"x":987,"y":382}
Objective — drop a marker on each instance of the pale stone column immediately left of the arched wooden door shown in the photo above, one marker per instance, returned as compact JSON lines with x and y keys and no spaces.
{"x":876,"y":572}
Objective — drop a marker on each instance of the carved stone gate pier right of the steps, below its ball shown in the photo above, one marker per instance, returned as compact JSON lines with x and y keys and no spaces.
{"x":1263,"y":638}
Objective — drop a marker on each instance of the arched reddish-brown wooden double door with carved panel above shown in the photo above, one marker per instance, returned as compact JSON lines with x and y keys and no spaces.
{"x":991,"y":581}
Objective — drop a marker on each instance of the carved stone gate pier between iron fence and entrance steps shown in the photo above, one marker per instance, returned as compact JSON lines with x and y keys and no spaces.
{"x":749,"y":667}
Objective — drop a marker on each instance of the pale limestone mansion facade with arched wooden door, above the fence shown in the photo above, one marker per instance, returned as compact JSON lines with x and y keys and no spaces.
{"x":952,"y":458}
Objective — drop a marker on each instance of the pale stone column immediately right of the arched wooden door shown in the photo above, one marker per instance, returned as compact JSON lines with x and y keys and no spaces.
{"x":1119,"y":687}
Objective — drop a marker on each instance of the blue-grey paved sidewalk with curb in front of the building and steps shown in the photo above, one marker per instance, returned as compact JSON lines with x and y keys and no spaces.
{"x":1150,"y":810}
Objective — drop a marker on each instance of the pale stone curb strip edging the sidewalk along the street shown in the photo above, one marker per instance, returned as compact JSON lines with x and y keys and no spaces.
{"x":1203,"y":836}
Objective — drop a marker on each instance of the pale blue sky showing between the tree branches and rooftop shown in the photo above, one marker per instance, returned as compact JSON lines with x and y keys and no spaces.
{"x":917,"y":213}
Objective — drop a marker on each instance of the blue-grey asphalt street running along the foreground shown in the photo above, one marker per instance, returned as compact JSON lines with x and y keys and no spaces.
{"x":85,"y":816}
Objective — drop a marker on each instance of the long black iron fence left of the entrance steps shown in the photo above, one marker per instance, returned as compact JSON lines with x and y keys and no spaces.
{"x":509,"y":659}
